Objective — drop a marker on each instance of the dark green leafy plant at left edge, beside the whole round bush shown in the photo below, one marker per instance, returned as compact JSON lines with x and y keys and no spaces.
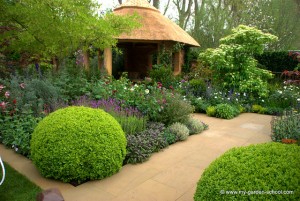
{"x":16,"y":131}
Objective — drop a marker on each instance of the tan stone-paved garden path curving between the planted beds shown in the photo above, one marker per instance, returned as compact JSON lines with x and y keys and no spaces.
{"x":170,"y":175}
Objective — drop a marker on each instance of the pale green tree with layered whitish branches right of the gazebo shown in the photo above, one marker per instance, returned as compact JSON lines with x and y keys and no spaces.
{"x":233,"y":63}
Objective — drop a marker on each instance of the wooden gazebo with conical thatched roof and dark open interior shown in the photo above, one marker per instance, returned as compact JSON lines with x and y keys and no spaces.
{"x":156,"y":32}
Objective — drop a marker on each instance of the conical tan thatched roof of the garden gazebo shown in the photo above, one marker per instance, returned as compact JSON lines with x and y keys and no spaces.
{"x":155,"y":26}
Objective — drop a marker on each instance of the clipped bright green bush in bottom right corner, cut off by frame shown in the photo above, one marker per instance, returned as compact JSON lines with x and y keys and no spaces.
{"x":274,"y":168}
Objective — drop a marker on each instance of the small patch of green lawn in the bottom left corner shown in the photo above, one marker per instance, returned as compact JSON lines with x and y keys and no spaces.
{"x":17,"y":187}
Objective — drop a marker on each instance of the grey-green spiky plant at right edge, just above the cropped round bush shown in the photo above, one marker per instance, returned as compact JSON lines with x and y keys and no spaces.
{"x":286,"y":126}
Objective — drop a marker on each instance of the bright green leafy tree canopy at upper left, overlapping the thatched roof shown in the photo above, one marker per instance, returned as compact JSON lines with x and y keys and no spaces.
{"x":49,"y":28}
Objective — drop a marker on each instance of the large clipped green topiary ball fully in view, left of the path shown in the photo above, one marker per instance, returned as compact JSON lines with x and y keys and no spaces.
{"x":77,"y":144}
